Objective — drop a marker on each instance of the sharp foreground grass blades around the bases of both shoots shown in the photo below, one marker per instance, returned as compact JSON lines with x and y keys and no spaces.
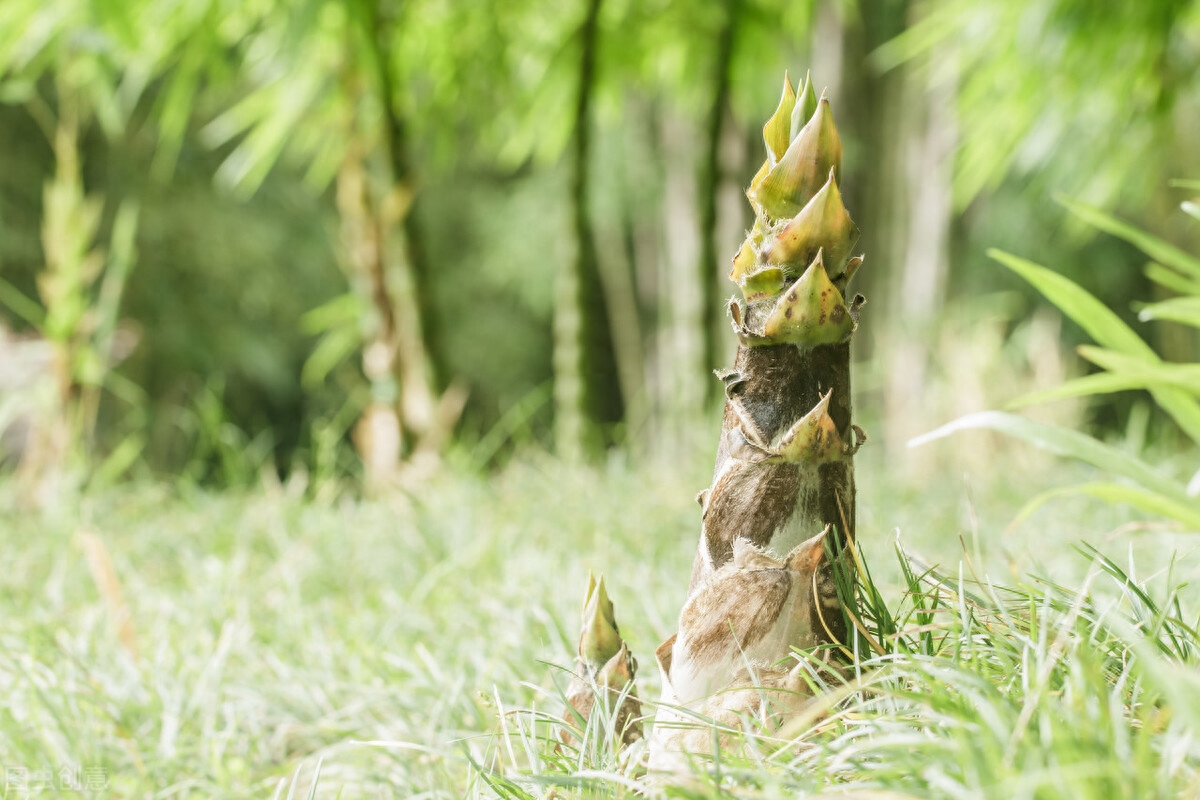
{"x":961,"y":689}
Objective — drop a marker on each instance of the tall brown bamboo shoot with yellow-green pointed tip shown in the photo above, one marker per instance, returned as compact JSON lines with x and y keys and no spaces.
{"x":784,"y":479}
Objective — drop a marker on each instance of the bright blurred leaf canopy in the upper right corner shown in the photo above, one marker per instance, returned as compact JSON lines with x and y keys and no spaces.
{"x":1041,"y":94}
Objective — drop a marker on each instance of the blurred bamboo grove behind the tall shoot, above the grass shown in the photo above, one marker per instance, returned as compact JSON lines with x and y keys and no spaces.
{"x":355,"y":239}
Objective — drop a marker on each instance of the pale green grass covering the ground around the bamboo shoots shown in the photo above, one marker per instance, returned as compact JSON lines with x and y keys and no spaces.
{"x":178,"y":643}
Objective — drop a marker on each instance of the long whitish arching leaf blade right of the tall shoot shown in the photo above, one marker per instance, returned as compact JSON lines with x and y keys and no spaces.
{"x":1061,"y":442}
